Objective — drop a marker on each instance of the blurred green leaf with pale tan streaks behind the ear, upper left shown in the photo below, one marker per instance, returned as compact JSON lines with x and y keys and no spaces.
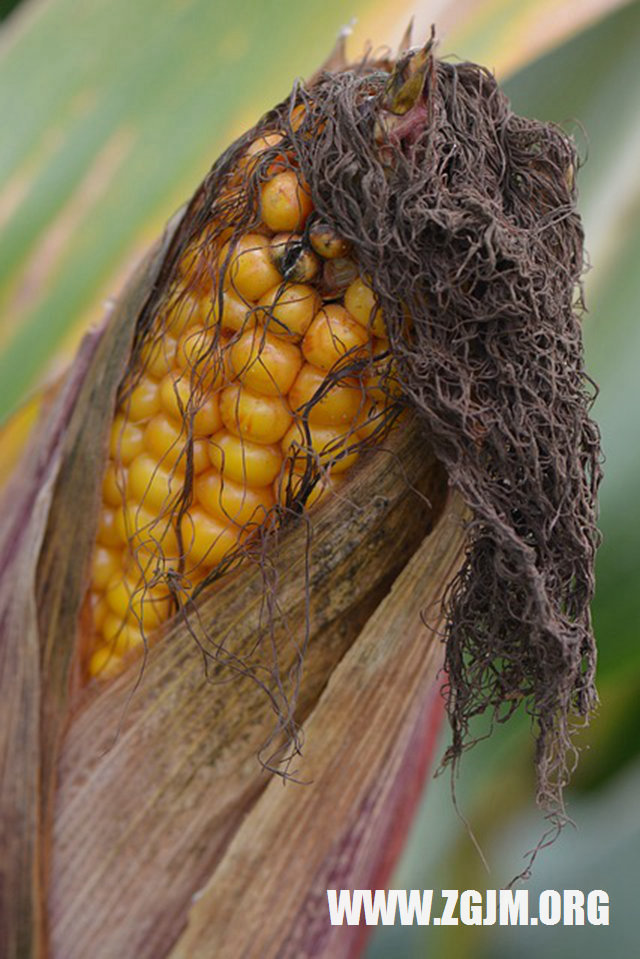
{"x":108,"y":139}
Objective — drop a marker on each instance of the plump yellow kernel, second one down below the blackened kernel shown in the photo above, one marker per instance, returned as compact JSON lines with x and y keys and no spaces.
{"x":265,"y":363}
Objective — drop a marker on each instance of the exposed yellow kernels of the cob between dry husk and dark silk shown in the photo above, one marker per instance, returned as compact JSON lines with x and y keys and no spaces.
{"x":265,"y":371}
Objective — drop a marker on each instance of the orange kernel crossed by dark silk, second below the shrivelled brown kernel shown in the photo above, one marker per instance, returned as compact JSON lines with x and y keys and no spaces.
{"x":339,"y":404}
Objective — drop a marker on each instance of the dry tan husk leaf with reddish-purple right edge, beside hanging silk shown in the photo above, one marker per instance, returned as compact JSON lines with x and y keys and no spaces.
{"x":369,"y":742}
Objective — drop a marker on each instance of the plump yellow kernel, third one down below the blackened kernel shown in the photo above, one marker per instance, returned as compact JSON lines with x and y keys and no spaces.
{"x":261,"y":419}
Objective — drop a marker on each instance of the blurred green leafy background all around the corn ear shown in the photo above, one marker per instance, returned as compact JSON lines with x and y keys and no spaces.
{"x":112,"y":111}
